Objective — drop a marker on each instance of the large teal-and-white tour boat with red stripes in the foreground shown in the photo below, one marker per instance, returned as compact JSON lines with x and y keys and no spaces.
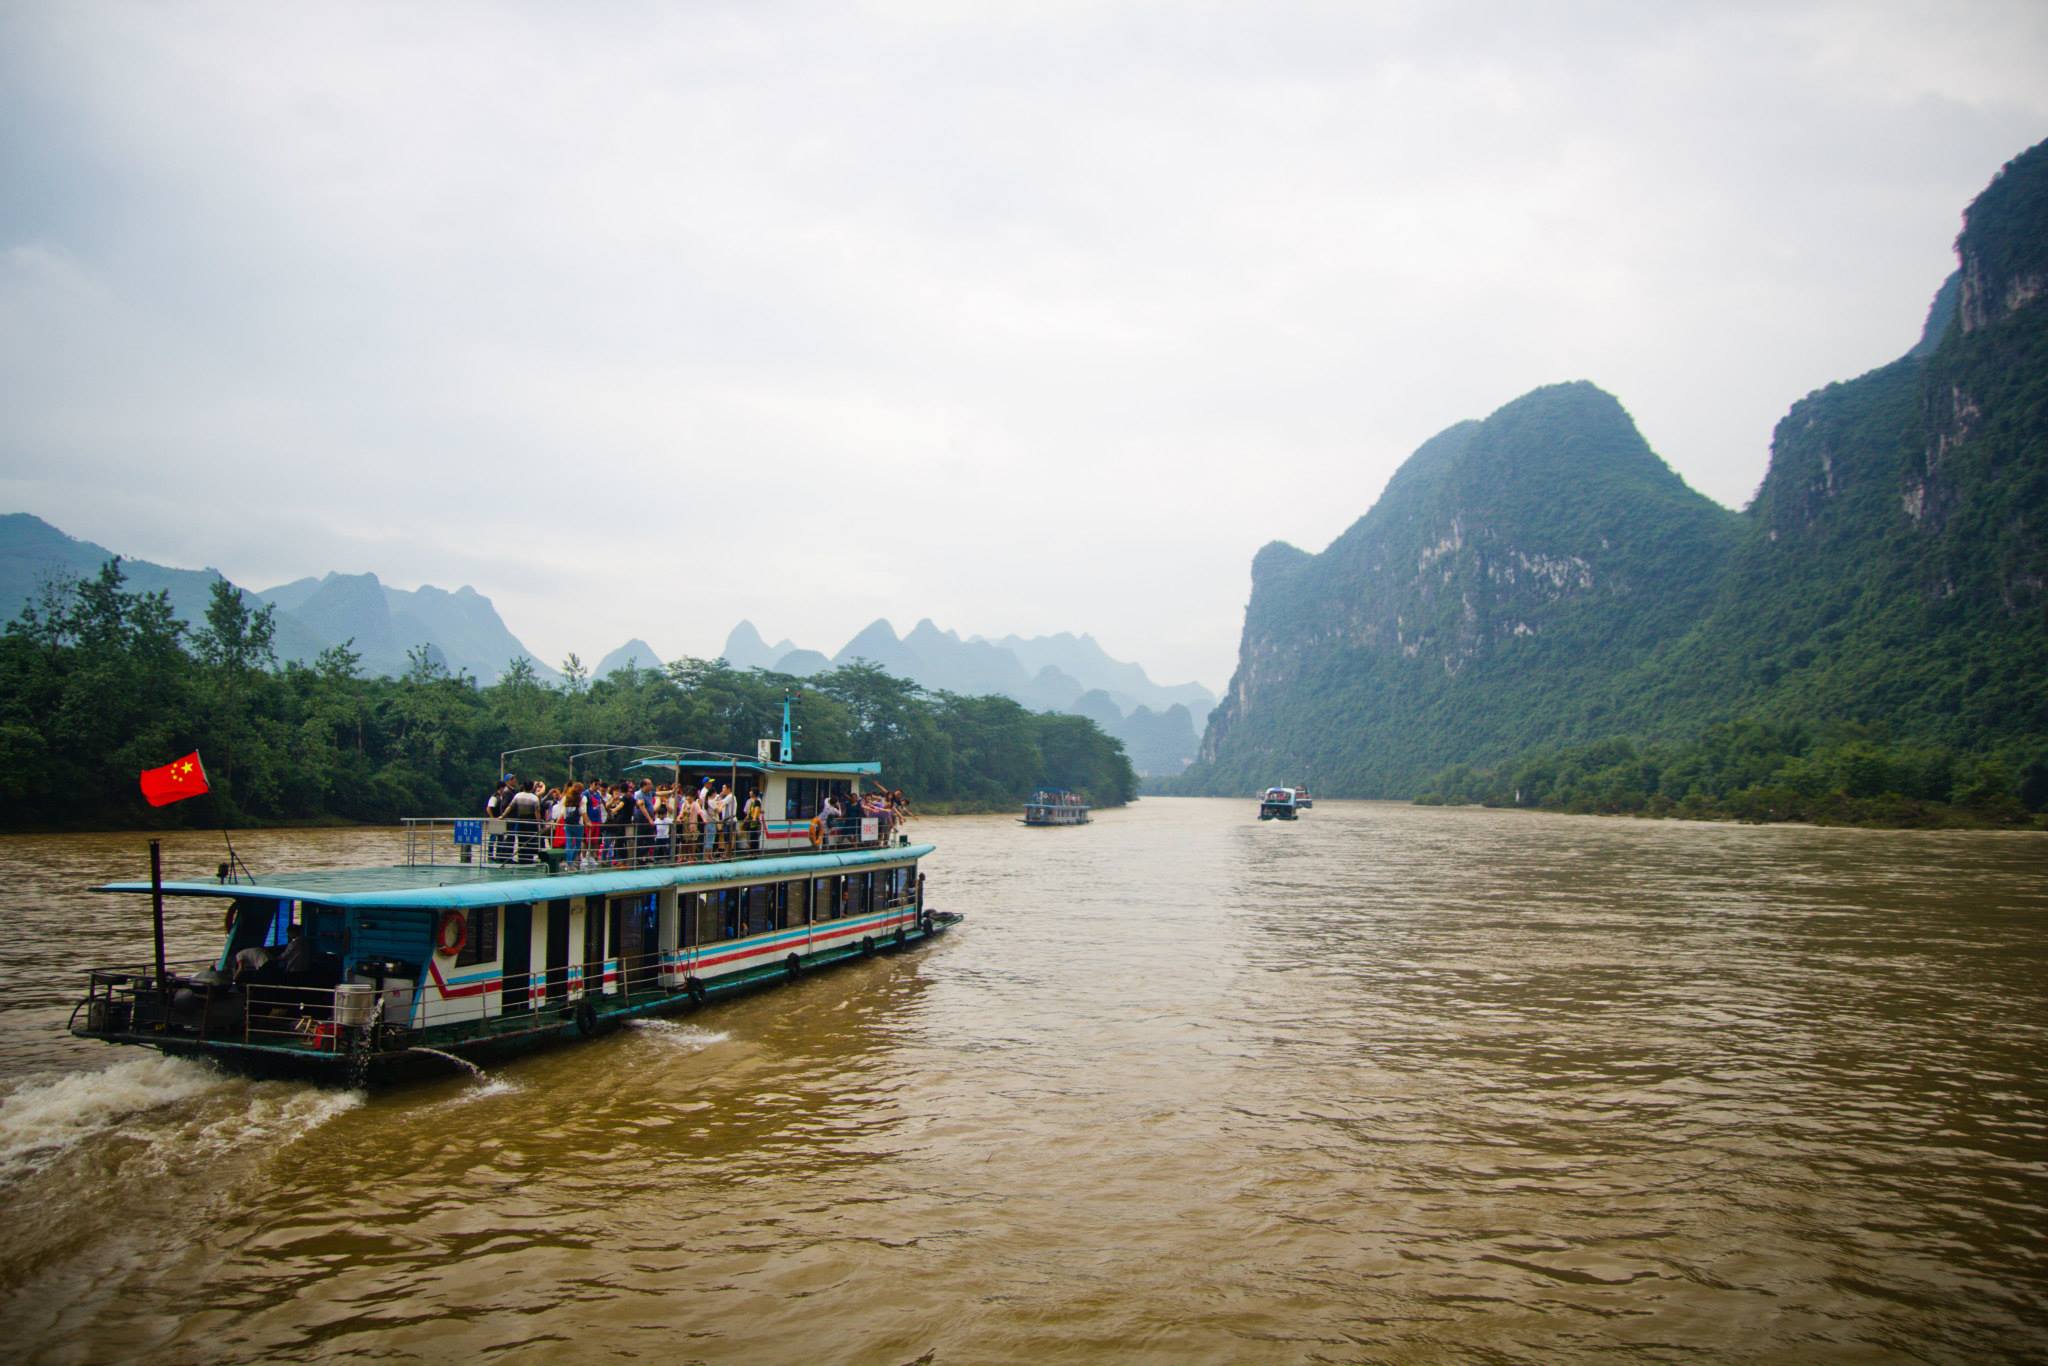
{"x":486,"y":939}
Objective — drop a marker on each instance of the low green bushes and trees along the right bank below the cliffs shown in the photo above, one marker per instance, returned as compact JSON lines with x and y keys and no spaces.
{"x":1766,"y":773}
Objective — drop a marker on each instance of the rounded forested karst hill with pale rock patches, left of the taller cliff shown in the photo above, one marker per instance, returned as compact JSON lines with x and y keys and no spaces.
{"x":1506,"y":572}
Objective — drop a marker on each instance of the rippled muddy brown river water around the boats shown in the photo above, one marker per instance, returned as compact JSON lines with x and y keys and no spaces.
{"x":1388,"y":1084}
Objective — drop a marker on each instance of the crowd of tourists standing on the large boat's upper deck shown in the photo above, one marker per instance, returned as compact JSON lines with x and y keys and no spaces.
{"x":595,"y":824}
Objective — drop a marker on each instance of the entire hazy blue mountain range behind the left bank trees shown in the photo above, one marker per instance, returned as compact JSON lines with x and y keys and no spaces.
{"x":464,"y":634}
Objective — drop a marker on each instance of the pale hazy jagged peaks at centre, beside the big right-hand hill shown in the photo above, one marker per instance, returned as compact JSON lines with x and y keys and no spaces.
{"x":1050,"y":673}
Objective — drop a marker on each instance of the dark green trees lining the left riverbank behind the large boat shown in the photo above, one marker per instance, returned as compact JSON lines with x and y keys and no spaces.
{"x":99,"y":683}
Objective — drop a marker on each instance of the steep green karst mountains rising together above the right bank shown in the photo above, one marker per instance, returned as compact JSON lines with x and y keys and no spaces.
{"x":1543,"y":579}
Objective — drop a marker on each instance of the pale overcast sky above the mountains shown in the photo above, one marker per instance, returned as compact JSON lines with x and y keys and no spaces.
{"x":1023,"y":318}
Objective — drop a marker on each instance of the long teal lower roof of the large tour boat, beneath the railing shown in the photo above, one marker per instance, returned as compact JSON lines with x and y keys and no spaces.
{"x":458,"y":886}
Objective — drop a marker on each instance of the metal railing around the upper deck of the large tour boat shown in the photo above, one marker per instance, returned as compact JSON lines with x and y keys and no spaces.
{"x":441,"y":841}
